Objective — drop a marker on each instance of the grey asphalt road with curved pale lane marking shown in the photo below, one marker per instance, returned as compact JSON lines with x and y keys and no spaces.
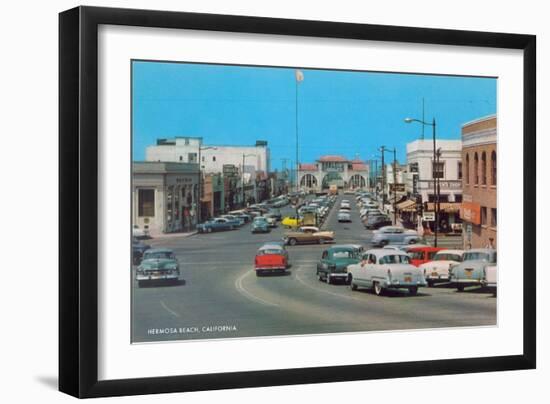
{"x":219,"y":295}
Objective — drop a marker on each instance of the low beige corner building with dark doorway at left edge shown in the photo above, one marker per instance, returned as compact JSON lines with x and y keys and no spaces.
{"x":164,"y":196}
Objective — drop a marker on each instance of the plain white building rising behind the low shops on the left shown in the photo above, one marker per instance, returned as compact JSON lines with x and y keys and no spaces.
{"x":213,"y":157}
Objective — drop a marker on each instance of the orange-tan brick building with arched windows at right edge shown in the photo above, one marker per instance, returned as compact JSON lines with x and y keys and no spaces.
{"x":479,"y":205}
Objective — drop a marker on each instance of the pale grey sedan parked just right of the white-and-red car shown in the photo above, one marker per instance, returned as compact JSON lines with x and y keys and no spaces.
{"x":471,"y":271}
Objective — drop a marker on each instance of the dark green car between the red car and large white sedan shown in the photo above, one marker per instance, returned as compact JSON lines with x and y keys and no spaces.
{"x":334,"y":262}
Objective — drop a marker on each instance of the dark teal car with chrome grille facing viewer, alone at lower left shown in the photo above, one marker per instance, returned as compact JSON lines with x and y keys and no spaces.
{"x":158,"y":264}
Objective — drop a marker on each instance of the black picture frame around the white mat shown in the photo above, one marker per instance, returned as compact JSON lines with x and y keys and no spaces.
{"x":78,"y":196}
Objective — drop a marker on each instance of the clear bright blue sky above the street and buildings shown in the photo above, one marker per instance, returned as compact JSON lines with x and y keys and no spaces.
{"x":339,"y":112}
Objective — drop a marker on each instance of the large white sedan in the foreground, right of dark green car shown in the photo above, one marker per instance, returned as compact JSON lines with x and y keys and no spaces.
{"x":383,"y":269}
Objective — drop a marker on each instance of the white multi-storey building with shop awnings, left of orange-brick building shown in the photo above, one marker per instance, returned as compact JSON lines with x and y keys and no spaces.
{"x":419,"y":179}
